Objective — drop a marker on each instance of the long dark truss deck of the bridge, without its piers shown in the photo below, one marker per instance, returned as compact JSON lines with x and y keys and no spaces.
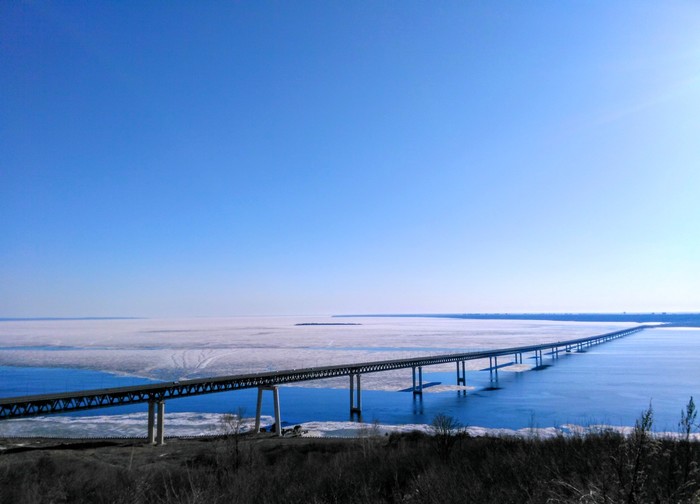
{"x":17,"y":407}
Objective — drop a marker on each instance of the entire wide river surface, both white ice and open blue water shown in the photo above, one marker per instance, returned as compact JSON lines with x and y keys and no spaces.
{"x":609,"y":384}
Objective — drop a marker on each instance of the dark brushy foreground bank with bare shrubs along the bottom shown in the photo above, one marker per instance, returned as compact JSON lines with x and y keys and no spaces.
{"x":448,"y":466}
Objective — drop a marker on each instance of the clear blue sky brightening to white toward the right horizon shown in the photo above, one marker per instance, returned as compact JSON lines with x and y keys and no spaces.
{"x":246,"y":158}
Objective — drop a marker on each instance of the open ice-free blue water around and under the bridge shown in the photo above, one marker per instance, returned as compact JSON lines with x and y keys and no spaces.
{"x":610,"y":383}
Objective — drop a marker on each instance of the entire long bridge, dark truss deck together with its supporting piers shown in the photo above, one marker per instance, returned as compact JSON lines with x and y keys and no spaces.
{"x":156,"y":394}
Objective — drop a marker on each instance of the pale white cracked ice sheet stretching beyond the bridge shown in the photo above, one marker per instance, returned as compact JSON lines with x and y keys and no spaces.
{"x":176,"y":349}
